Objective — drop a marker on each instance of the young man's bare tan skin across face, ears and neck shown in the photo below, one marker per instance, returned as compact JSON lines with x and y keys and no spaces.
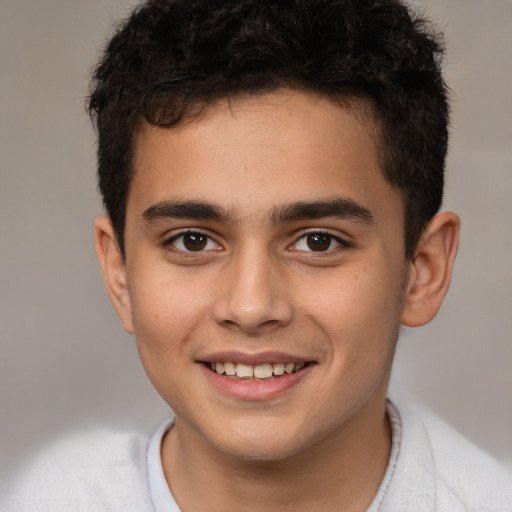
{"x":256,"y":285}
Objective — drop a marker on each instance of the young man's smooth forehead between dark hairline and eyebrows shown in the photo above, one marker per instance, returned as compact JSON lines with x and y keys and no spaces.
{"x":250,"y":154}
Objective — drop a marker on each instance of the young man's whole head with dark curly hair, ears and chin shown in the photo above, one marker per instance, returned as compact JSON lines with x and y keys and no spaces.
{"x":272,"y":171}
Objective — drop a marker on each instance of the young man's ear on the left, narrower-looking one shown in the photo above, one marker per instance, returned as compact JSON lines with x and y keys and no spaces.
{"x":114,"y":270}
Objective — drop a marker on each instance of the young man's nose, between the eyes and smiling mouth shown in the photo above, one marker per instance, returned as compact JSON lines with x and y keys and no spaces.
{"x":253,"y":296}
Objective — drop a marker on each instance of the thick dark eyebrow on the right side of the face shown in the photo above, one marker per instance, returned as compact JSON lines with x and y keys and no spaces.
{"x":339,"y":207}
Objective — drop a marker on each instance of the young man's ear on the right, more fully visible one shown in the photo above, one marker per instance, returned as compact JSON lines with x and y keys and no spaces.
{"x":430,"y":270}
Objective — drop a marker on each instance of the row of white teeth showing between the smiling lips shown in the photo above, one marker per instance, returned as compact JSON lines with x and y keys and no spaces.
{"x":259,"y":372}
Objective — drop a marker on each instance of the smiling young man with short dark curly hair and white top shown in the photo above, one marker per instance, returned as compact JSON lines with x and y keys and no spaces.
{"x":272,"y":174}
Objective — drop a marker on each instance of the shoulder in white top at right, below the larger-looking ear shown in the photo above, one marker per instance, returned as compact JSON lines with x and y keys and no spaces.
{"x":454,"y":473}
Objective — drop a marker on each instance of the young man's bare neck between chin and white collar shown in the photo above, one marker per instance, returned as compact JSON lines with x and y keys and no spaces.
{"x":342,"y":472}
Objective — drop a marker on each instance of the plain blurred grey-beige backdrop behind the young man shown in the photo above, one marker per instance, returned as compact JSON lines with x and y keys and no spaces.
{"x":66,"y":364}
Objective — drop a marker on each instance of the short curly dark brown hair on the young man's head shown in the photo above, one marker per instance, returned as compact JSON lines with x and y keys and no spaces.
{"x":170,"y":58}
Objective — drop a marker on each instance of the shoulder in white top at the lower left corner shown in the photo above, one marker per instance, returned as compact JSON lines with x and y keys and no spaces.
{"x":100,"y":470}
